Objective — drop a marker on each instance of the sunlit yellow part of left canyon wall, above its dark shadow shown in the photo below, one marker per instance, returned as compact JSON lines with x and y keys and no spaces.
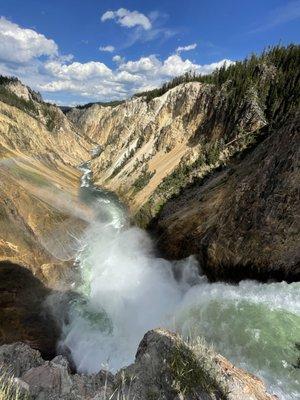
{"x":40,"y":151}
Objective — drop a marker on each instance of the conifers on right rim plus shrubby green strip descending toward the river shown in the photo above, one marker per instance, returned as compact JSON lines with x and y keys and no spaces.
{"x":269,"y":83}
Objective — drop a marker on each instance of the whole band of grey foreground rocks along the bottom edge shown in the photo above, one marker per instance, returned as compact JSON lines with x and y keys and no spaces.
{"x":165,"y":368}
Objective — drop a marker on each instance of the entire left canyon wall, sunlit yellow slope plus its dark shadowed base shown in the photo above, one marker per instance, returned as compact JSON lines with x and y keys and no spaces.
{"x":41,"y":216}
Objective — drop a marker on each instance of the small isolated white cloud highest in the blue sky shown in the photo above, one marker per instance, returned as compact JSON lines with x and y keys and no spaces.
{"x":128,"y":18}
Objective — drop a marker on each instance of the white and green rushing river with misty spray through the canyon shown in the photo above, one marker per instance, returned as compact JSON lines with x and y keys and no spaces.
{"x":126,"y":290}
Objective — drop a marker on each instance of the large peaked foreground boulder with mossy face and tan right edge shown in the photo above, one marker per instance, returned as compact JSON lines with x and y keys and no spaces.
{"x":166,"y":368}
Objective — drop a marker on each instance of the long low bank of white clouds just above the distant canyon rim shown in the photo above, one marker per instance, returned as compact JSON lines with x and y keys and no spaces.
{"x":95,"y":81}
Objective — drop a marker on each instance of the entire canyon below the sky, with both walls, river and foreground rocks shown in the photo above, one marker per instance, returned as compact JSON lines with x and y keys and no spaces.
{"x":175,"y":211}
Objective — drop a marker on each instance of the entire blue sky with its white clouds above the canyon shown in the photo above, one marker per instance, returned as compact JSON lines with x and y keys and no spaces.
{"x":76,"y":51}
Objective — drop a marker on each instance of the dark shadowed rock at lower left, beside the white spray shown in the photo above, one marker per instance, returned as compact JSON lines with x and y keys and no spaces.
{"x":24,"y":316}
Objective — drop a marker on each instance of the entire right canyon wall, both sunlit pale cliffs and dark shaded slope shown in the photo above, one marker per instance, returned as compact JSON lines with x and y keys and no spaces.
{"x":152,"y":148}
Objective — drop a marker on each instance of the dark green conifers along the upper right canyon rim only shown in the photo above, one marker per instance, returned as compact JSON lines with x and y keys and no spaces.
{"x":273,"y":76}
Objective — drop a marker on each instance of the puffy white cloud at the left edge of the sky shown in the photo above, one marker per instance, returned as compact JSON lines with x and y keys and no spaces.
{"x":20,"y":45}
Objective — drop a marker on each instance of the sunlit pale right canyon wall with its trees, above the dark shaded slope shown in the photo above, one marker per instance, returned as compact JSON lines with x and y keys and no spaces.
{"x":153,"y":145}
